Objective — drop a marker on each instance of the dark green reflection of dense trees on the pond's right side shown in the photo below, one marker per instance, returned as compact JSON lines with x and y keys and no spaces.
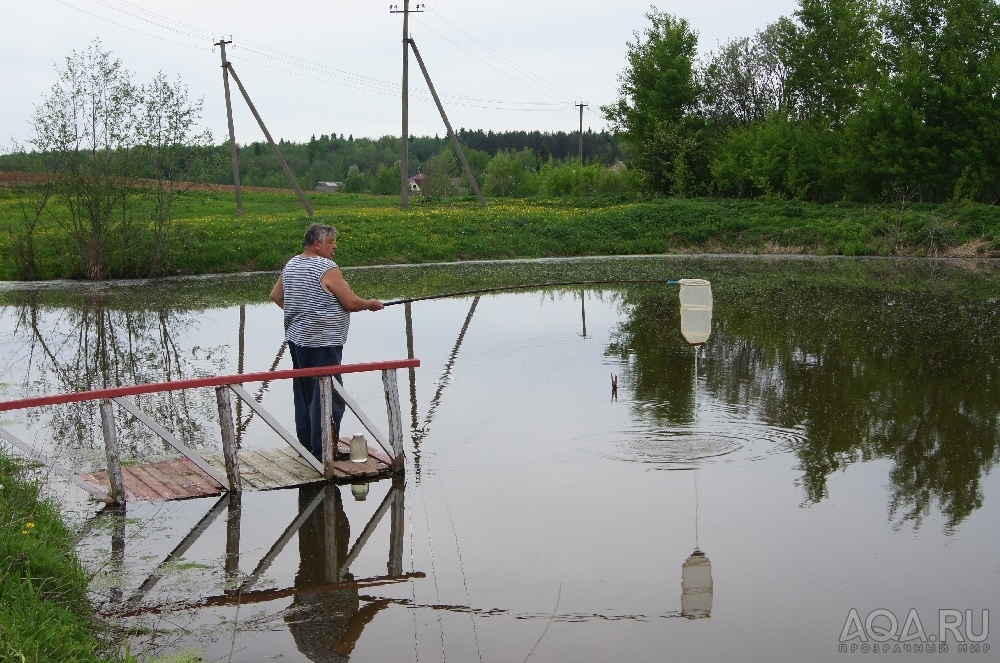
{"x":867,"y":372}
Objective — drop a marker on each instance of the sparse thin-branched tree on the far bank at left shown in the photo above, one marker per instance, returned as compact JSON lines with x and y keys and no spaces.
{"x":98,"y":131}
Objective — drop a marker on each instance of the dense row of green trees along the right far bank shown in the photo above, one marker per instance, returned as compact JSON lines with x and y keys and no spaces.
{"x":866,"y":100}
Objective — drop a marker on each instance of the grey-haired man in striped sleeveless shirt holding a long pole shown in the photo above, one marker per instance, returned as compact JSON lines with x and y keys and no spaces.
{"x":318,"y":303}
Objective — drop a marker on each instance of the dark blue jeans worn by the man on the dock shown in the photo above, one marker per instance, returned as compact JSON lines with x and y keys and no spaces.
{"x":305,"y":391}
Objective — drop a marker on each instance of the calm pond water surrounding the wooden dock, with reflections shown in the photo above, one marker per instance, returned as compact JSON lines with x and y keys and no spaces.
{"x":824,"y":460}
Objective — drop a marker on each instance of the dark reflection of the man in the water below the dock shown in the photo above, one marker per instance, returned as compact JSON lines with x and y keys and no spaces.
{"x":325,"y":619}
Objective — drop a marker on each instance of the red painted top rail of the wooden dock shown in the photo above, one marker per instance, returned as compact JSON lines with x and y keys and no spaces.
{"x":215,"y":381}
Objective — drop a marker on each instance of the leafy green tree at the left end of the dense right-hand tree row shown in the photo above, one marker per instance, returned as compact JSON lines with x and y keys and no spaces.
{"x":658,"y":89}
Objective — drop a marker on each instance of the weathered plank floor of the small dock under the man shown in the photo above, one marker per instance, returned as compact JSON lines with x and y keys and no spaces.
{"x":260,"y":469}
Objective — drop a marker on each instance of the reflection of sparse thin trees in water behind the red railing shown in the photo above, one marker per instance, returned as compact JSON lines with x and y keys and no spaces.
{"x":94,"y":344}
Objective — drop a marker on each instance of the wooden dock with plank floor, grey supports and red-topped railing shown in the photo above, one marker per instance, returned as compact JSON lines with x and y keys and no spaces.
{"x":196,"y":475}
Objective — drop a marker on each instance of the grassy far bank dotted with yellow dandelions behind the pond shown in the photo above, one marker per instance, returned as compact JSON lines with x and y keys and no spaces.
{"x":208,"y":237}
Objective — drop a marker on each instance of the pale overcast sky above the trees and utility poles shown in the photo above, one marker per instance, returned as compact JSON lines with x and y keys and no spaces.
{"x":315,"y":67}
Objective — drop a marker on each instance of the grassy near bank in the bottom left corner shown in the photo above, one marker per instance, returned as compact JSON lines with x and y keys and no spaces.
{"x":44,"y":612}
